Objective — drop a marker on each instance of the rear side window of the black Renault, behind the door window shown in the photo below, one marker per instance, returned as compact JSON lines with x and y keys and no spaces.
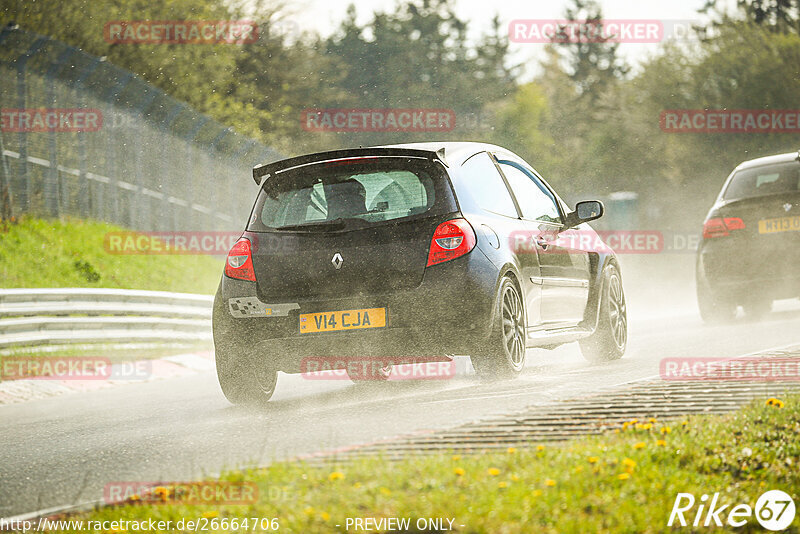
{"x":481,"y":182}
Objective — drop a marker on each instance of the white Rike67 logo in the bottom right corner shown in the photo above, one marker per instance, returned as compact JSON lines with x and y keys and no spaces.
{"x":774,"y":510}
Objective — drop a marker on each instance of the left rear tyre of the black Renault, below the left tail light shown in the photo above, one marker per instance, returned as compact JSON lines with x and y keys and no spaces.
{"x":244,"y":376}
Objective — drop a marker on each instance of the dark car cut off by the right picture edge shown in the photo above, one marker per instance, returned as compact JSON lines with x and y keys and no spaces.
{"x":749,"y":255}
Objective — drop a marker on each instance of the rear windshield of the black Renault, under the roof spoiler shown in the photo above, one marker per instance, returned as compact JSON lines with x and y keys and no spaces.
{"x":360,"y":192}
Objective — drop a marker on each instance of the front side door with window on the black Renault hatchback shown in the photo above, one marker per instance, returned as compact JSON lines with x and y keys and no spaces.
{"x":564,"y":278}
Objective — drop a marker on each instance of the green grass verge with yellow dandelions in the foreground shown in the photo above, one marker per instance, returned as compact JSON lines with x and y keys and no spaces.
{"x":605,"y":483}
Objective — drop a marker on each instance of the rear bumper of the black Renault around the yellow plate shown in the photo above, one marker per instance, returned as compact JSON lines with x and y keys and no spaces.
{"x":450,"y":312}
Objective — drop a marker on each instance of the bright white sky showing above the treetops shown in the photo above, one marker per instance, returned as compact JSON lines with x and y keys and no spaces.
{"x":324,"y":16}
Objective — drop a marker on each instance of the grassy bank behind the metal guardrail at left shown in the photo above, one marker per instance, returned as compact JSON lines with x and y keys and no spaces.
{"x":70,"y":253}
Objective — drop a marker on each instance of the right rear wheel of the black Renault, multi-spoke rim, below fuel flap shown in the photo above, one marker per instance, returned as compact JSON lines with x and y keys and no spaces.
{"x":505,"y":355}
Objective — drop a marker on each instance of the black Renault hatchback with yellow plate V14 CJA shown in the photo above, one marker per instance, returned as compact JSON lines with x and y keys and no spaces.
{"x":406,"y":253}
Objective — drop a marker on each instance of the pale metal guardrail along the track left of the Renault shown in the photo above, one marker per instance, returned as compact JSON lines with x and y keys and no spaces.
{"x":77,"y":315}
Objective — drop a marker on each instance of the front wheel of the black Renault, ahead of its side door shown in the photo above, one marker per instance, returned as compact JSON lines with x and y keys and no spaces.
{"x":610,"y":339}
